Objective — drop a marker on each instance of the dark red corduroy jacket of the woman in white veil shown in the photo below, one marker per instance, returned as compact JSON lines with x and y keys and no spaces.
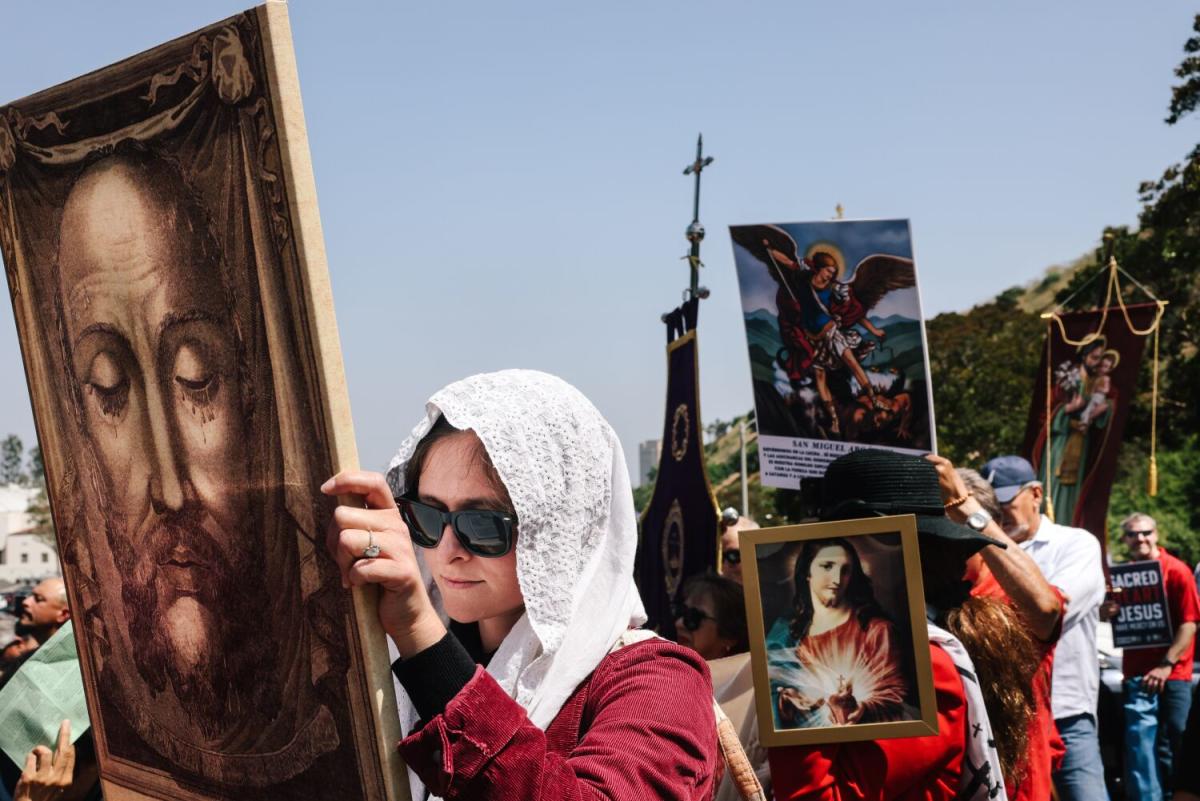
{"x":641,"y":727}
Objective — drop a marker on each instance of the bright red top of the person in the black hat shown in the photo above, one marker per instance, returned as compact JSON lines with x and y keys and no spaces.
{"x":911,"y":769}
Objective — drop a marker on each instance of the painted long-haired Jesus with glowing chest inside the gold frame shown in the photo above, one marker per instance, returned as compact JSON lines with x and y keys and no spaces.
{"x":838,"y":631}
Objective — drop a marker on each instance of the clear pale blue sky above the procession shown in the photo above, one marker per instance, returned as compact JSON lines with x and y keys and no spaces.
{"x":501,"y":183}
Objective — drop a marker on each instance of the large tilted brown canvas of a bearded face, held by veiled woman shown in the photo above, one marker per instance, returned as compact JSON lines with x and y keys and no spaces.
{"x":164,"y":252}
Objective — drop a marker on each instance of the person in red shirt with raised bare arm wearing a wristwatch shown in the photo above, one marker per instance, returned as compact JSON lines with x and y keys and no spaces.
{"x":1011,"y":575}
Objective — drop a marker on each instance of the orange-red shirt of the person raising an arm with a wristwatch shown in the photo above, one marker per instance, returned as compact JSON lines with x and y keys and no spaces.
{"x":1047,"y":749}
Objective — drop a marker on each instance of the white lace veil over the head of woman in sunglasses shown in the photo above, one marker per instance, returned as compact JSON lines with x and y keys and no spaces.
{"x":566,"y":472}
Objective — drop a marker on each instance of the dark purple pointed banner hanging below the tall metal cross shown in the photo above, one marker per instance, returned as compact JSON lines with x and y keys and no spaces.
{"x":681,"y":522}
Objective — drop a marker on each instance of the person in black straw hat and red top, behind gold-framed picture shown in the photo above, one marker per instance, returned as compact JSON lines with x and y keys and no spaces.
{"x":981,"y":657}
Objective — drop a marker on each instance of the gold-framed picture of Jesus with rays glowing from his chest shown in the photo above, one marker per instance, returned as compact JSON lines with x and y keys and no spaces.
{"x":867,"y":673}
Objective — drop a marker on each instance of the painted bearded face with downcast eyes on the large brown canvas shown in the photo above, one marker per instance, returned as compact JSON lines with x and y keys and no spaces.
{"x":155,"y":365}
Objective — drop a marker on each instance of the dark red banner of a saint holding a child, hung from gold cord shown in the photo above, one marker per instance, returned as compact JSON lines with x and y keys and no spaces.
{"x":1082,"y":399}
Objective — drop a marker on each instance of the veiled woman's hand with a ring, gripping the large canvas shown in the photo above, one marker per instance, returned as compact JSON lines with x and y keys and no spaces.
{"x":406,"y":612}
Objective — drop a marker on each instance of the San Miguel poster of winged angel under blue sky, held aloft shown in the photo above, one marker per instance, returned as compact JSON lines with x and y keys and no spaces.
{"x":837,"y":342}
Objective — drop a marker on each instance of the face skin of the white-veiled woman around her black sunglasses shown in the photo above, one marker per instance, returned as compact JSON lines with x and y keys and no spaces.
{"x":475,"y":589}
